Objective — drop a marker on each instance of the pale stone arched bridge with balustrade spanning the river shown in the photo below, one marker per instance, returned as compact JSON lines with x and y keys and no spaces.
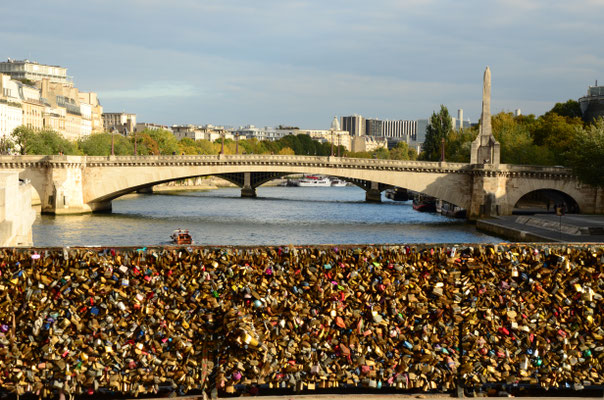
{"x":74,"y":184}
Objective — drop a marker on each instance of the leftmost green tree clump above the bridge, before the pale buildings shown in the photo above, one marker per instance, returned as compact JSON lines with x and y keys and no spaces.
{"x":46,"y":142}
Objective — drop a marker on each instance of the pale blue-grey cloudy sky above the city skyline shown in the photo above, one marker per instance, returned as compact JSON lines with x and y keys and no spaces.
{"x":302,"y":62}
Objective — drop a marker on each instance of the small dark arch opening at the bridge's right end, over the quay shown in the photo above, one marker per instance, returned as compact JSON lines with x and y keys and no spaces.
{"x":545,"y":201}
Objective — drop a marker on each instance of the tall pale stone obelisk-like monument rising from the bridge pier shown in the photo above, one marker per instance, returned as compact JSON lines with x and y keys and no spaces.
{"x":485,"y":149}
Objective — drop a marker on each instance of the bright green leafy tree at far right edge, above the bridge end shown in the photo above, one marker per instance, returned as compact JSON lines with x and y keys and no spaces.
{"x":586,"y":153}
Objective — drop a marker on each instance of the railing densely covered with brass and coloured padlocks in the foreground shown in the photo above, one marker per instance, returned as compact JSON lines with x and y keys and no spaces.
{"x":430,"y":318}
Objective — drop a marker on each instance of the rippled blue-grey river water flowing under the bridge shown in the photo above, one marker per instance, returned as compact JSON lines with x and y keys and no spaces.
{"x":278,"y":216}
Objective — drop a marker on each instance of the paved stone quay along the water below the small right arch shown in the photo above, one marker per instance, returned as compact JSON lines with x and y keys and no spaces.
{"x":571,"y":228}
